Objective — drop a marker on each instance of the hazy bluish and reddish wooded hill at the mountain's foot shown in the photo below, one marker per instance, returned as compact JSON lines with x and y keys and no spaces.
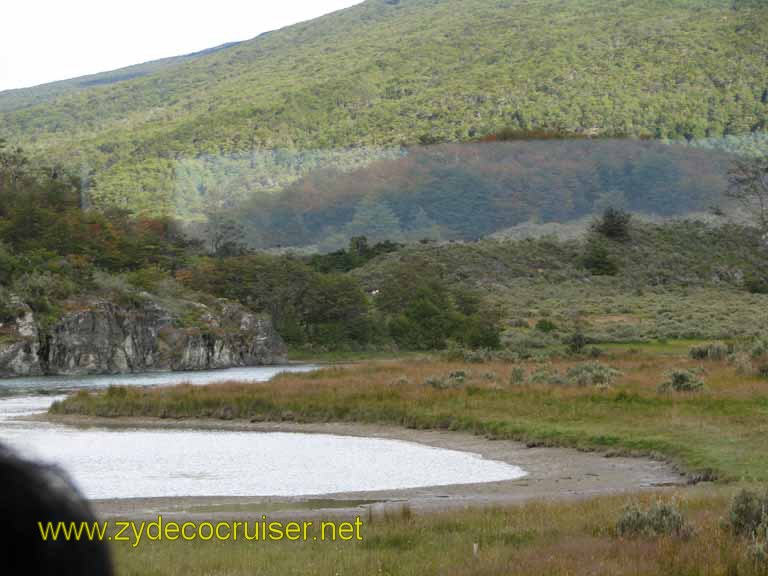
{"x":468,"y":191}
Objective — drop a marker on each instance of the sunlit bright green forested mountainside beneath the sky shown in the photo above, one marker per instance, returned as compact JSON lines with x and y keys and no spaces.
{"x":384,"y":73}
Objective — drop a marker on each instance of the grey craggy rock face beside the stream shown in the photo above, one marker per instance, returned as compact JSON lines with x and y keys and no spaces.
{"x":100,"y":337}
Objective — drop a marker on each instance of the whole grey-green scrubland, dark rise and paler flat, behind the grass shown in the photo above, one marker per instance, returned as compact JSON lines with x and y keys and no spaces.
{"x":680,"y":279}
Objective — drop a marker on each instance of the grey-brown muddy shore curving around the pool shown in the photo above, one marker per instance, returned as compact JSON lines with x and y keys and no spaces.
{"x":553,"y":473}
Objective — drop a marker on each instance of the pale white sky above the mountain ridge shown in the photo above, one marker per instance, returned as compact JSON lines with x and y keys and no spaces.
{"x":47,"y":40}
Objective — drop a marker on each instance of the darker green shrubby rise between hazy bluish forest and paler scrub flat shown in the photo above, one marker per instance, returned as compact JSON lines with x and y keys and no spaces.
{"x":679,"y":253}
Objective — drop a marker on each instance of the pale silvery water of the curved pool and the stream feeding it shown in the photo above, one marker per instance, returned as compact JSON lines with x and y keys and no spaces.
{"x":132,"y":463}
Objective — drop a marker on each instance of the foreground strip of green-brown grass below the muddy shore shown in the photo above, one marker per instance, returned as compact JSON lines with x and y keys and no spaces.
{"x":539,"y":538}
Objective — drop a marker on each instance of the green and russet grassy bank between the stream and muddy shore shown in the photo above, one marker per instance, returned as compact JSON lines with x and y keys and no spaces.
{"x":719,"y":431}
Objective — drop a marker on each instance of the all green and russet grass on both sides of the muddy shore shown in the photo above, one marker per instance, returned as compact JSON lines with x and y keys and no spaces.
{"x":611,"y":403}
